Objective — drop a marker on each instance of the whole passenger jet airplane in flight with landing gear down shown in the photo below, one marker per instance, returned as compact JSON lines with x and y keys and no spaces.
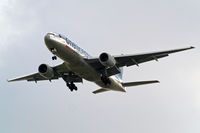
{"x":106,"y":70}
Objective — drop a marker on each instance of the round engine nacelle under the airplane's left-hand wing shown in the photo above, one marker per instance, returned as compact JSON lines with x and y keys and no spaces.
{"x":46,"y":71}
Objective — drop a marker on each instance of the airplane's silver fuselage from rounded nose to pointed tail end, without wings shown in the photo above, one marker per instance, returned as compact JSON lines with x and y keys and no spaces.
{"x":73,"y":57}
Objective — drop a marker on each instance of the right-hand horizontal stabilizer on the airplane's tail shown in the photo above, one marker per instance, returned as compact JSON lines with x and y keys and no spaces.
{"x":128,"y":84}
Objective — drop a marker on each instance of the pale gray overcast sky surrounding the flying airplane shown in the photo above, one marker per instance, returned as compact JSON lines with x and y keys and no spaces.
{"x":114,"y":26}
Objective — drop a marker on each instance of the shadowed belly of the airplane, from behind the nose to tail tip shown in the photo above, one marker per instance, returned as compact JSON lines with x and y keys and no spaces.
{"x":77,"y":64}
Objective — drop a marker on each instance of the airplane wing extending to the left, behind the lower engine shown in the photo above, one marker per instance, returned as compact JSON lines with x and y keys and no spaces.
{"x":59,"y":71}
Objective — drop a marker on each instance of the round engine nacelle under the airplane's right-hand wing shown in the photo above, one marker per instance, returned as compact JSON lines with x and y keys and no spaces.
{"x":107,"y":60}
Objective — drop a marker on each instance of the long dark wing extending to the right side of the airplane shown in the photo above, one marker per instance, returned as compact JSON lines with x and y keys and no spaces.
{"x":129,"y":60}
